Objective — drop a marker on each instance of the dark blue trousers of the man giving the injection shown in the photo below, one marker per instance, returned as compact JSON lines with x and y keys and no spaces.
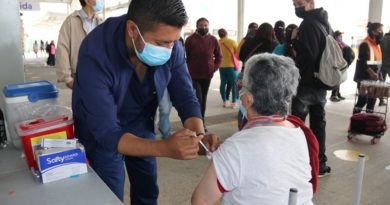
{"x":142,"y":172}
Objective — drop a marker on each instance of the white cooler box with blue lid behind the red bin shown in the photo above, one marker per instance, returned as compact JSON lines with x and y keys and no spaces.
{"x":26,"y":101}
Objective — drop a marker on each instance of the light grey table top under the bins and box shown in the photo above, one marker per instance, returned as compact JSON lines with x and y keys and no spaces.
{"x":18,"y":186}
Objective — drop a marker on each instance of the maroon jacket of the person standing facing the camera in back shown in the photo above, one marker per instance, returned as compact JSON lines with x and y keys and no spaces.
{"x":203,"y":56}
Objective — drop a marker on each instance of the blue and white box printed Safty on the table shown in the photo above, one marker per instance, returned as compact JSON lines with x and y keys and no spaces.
{"x":60,"y":163}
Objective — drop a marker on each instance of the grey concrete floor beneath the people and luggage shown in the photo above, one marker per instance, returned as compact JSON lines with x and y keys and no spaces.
{"x":177,"y":179}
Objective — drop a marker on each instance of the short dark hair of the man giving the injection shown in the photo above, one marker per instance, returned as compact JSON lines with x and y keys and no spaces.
{"x":147,"y":14}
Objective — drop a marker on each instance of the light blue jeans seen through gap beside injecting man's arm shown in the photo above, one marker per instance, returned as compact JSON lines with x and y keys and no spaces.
{"x":164,"y":108}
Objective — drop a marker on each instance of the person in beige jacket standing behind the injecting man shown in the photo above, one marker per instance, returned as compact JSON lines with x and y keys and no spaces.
{"x":74,"y":29}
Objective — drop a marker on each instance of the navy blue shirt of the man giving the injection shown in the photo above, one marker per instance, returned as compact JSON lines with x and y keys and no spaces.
{"x":108,"y":99}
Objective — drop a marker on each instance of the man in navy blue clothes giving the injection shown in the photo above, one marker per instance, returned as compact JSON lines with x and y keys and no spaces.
{"x":124,"y":66}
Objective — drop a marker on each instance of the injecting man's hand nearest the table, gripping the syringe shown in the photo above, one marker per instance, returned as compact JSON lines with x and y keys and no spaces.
{"x":182,"y":145}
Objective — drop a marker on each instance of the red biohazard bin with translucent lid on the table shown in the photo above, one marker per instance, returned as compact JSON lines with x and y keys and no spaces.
{"x":31,"y":133}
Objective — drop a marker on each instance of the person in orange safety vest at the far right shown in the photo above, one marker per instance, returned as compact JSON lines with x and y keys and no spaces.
{"x":367,"y":64}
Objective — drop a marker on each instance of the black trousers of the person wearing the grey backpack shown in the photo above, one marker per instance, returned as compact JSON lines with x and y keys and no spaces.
{"x":311,"y":101}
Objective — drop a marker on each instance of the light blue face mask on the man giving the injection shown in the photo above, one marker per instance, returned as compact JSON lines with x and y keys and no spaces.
{"x":153,"y":55}
